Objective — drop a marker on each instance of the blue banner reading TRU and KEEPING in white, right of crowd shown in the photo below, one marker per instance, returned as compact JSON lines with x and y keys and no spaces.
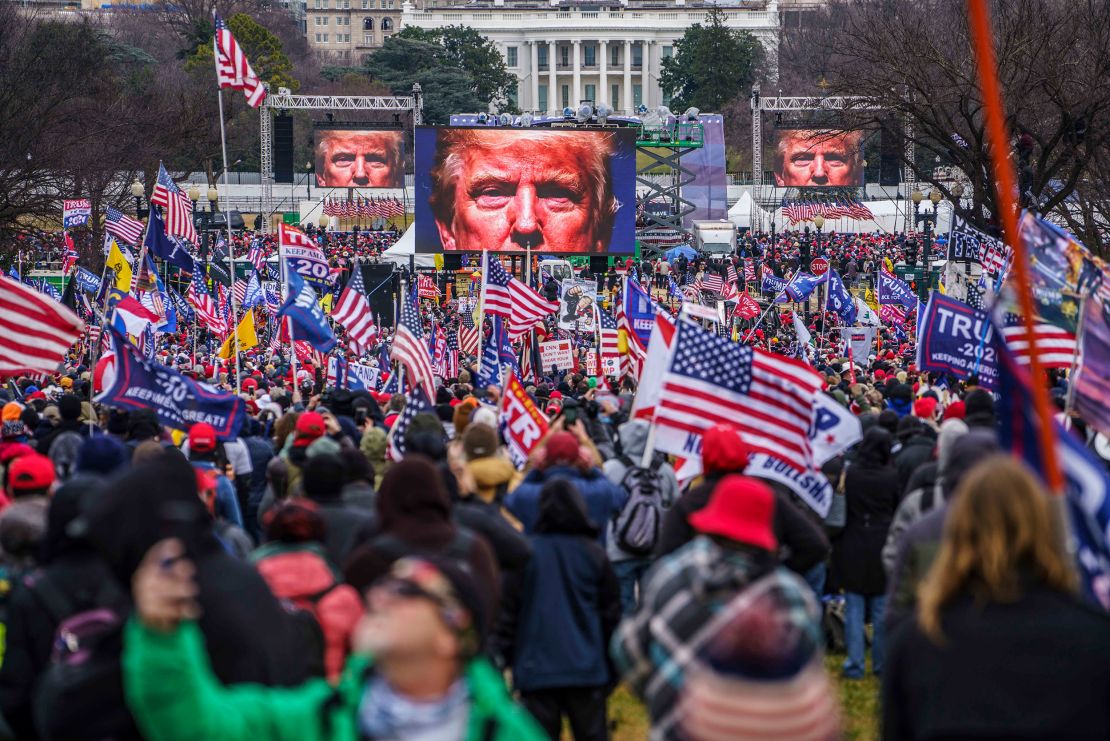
{"x":956,"y":339}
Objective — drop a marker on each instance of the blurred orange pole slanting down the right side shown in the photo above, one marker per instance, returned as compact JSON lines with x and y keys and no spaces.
{"x":1006,"y":180}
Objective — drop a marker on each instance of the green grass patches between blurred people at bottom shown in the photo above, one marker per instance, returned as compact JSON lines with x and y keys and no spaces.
{"x":860,"y":703}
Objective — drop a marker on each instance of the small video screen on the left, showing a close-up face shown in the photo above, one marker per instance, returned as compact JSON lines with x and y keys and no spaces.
{"x":359,"y":158}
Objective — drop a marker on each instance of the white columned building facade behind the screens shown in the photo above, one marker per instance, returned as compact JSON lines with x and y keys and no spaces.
{"x":568,"y":52}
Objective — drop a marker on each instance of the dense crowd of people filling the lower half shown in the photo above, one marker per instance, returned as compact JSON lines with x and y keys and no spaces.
{"x":300,"y":581}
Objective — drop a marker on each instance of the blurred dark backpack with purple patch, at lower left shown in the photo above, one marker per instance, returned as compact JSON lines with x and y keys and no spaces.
{"x":80,"y":695}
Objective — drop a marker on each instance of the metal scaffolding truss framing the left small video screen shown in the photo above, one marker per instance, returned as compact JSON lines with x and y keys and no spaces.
{"x":287,"y":101}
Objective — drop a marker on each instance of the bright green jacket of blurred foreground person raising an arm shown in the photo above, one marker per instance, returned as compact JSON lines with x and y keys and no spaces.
{"x":174,"y":695}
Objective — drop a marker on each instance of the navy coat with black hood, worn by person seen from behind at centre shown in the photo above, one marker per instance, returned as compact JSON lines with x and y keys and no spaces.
{"x":560,"y":620}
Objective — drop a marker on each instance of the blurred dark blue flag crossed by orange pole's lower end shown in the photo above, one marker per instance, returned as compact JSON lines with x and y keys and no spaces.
{"x":1087,"y":488}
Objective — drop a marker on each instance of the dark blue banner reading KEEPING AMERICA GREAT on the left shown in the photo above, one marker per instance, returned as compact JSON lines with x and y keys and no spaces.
{"x":178,"y":401}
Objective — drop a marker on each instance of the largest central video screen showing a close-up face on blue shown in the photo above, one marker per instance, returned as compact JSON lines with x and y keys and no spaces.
{"x":510,"y":190}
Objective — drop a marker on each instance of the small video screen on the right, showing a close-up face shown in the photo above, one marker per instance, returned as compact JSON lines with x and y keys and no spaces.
{"x":820,"y":158}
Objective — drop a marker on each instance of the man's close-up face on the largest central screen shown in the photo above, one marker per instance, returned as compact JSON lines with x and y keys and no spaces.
{"x":513,"y":190}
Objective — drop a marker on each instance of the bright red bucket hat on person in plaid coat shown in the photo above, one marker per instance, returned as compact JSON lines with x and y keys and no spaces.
{"x":741,"y":510}
